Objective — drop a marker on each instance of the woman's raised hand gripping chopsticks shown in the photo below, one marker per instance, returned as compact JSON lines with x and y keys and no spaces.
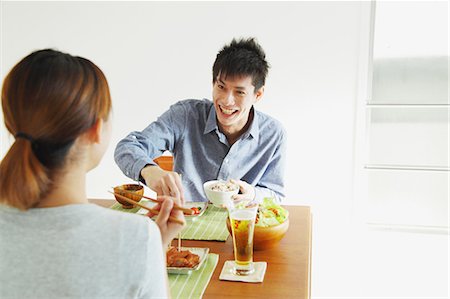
{"x":169,"y":230}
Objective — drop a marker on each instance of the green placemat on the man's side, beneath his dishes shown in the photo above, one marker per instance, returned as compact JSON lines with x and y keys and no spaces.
{"x":211,"y":226}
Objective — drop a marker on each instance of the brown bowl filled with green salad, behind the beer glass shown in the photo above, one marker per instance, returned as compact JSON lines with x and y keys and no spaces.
{"x":272,"y":223}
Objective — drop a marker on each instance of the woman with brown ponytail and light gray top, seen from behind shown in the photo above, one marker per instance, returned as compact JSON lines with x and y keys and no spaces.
{"x":53,"y":243}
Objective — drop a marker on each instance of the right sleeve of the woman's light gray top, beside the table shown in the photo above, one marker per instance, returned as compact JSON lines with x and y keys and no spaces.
{"x":155,"y":277}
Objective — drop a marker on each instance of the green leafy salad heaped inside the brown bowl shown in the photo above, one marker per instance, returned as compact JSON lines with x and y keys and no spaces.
{"x":270,"y":213}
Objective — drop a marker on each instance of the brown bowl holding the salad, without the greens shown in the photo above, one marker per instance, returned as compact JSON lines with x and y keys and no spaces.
{"x":266,"y":237}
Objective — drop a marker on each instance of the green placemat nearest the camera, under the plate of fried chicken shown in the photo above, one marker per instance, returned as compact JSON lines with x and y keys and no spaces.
{"x":194,"y":284}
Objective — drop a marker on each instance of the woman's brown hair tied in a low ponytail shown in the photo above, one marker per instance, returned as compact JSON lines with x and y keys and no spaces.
{"x":49,"y":98}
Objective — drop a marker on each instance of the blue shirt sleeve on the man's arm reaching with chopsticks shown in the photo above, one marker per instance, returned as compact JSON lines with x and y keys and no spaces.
{"x":138,"y":149}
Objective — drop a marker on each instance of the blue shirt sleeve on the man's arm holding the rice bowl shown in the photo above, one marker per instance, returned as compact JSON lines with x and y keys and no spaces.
{"x":272,"y":181}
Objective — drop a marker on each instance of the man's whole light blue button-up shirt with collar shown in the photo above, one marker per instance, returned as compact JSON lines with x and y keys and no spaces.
{"x":201,"y":152}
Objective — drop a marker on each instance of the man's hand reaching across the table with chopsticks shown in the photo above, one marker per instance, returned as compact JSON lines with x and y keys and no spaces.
{"x":163,"y":182}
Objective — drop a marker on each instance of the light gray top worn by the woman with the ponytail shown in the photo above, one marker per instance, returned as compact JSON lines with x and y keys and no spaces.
{"x":79,"y":251}
